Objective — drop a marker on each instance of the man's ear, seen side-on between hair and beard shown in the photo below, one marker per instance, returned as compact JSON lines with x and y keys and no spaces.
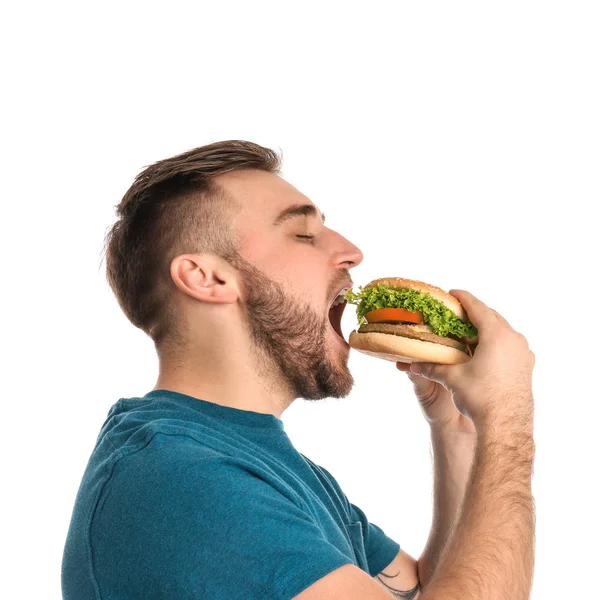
{"x":204,"y":277}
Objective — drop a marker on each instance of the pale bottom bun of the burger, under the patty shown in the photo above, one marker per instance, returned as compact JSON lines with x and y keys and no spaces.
{"x":400,"y":349}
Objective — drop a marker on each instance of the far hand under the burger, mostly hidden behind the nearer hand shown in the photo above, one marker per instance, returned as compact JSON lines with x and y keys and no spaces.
{"x":436,"y":403}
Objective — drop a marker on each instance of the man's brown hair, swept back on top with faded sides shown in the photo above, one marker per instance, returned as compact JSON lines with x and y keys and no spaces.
{"x":174,"y":207}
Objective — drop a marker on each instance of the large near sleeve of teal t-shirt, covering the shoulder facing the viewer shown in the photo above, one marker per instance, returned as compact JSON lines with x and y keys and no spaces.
{"x":211,"y":528}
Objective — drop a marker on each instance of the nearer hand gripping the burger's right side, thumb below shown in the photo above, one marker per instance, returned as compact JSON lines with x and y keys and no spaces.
{"x":495,"y":385}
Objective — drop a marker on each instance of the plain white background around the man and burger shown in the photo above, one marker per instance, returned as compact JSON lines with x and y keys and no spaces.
{"x":453,"y":142}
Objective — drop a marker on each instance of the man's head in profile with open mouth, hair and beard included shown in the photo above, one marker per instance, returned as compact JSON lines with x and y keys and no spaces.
{"x":204,"y":255}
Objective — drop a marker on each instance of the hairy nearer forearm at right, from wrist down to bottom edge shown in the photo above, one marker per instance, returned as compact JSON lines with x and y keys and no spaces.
{"x":490,"y":553}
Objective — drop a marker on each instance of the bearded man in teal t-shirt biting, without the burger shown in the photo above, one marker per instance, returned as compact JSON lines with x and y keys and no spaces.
{"x":195,"y":491}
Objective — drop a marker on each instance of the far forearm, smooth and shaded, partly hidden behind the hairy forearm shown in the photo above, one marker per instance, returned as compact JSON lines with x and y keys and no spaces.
{"x":452,"y":460}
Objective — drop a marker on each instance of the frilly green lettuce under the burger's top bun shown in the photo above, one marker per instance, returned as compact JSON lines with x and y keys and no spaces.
{"x":435,"y":314}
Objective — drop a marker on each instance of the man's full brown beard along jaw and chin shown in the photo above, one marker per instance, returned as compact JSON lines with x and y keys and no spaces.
{"x":292,"y":338}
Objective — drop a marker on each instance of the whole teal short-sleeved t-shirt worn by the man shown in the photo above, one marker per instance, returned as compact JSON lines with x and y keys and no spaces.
{"x":184,"y":498}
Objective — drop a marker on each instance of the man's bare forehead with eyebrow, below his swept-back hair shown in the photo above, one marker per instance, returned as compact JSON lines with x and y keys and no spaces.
{"x":267,"y":200}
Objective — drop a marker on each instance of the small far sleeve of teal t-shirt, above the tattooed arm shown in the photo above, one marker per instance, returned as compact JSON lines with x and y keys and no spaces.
{"x":379,"y":549}
